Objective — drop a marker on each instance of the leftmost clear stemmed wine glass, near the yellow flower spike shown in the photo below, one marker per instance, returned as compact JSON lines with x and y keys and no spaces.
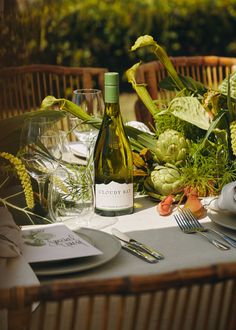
{"x":40,"y":151}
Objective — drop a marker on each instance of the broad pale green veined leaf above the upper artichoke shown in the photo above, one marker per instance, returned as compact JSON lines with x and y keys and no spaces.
{"x":190,"y":109}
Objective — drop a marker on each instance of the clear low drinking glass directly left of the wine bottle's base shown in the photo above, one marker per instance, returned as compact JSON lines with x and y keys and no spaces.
{"x":71,"y":199}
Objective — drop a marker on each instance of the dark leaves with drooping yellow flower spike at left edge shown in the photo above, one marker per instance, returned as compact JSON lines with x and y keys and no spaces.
{"x":17,"y":192}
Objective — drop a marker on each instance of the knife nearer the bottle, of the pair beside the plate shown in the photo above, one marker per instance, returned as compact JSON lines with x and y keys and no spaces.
{"x":141,"y":246}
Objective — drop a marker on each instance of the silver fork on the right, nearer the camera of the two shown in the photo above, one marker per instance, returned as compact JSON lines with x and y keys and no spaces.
{"x":189,"y":228}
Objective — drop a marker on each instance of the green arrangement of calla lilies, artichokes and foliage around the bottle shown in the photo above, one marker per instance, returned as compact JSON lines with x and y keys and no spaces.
{"x":193,"y":144}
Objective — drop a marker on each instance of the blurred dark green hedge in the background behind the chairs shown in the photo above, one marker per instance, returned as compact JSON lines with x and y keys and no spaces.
{"x":100,"y":33}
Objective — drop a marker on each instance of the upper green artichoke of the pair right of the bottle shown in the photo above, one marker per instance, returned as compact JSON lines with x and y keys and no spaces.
{"x":172,"y":147}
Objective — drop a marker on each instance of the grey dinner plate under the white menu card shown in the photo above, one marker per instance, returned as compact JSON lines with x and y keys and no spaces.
{"x":108,"y":244}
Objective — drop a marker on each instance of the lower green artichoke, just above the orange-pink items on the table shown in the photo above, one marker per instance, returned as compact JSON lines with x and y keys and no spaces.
{"x":164,"y":180}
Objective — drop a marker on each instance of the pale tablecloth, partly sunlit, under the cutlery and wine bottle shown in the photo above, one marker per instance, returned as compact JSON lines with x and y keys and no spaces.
{"x":145,"y":224}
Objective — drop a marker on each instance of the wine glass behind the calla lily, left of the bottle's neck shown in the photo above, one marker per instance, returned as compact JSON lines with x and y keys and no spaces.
{"x":91,"y":102}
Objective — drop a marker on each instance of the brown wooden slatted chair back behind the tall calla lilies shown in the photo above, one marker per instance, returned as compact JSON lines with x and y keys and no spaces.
{"x":209,"y":70}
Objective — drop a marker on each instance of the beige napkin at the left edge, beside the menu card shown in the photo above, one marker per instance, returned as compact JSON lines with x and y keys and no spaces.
{"x":10,"y":235}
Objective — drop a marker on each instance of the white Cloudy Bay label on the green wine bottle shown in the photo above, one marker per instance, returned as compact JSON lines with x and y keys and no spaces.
{"x":114,"y":196}
